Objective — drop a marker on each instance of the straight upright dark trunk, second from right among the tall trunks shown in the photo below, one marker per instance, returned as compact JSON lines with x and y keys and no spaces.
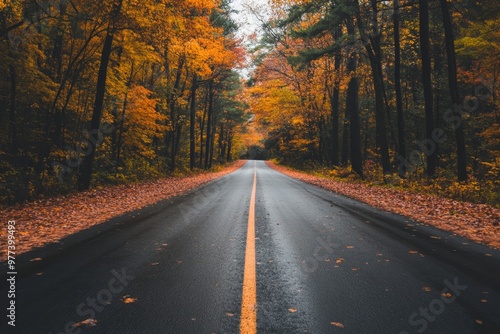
{"x":427,"y":83}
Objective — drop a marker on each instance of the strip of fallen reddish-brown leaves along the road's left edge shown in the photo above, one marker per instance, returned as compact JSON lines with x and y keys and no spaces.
{"x":46,"y":221}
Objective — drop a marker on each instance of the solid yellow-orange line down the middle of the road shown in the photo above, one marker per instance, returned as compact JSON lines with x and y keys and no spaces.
{"x":248,"y":324}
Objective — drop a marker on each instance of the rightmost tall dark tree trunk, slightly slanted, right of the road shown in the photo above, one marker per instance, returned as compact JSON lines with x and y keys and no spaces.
{"x":452,"y":80}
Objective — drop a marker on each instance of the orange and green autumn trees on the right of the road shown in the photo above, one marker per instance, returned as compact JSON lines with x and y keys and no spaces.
{"x":395,"y":92}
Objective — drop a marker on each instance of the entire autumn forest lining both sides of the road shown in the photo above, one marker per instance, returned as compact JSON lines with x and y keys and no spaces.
{"x":397,"y":93}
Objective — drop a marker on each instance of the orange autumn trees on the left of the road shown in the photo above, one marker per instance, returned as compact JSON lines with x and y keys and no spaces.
{"x":109,"y":92}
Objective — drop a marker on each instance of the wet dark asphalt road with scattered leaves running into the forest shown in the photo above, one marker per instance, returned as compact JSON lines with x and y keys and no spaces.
{"x":320,"y":263}
